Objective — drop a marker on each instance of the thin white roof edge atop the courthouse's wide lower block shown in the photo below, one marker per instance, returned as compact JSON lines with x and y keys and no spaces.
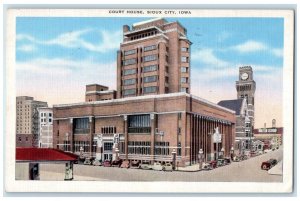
{"x":144,"y":98}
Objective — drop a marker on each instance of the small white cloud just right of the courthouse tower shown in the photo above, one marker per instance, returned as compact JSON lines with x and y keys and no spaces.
{"x":207,"y":57}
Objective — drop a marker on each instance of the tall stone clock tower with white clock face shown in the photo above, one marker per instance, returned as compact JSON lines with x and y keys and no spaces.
{"x":246,"y":89}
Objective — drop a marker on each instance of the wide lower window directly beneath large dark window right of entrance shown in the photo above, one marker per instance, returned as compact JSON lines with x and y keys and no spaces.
{"x":139,"y":147}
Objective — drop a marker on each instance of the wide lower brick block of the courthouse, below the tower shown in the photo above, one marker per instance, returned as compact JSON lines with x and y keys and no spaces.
{"x":145,"y":128}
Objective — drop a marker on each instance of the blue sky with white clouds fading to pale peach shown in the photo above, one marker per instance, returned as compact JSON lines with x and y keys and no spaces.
{"x":62,"y":55}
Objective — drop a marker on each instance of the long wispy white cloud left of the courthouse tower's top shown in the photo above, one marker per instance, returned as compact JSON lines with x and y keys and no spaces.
{"x":108,"y":40}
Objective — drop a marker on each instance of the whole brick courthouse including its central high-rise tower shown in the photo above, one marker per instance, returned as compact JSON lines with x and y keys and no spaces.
{"x":151,"y":114}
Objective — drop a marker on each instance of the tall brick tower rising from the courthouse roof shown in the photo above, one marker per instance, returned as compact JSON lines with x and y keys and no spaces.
{"x":154,"y":58}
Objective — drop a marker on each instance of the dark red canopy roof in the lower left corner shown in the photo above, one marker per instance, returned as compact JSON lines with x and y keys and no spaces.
{"x":43,"y":154}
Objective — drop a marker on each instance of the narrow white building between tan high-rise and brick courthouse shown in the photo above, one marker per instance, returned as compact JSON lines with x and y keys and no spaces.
{"x":45,"y":127}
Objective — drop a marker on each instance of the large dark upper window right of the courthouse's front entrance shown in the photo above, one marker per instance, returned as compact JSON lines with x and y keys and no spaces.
{"x":139,"y":124}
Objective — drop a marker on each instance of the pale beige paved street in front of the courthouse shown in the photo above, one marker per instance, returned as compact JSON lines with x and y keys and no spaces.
{"x":245,"y":171}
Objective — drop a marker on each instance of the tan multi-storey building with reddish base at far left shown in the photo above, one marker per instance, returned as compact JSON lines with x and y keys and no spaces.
{"x":27,"y":121}
